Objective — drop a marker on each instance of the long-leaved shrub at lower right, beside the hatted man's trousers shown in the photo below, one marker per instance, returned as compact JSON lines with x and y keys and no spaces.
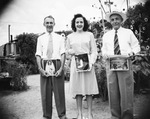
{"x":141,"y":68}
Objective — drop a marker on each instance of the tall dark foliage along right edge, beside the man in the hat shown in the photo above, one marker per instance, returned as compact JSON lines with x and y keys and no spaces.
{"x":139,"y":22}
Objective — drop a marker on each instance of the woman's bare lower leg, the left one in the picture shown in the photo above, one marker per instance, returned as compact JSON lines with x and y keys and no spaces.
{"x":79,"y":106}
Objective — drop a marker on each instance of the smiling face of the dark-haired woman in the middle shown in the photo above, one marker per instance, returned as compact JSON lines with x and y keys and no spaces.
{"x":79,"y":24}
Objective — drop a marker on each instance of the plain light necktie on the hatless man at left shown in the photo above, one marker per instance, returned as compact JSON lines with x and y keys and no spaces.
{"x":50,"y":47}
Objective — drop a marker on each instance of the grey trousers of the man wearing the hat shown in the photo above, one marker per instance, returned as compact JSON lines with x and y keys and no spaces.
{"x":120,"y":92}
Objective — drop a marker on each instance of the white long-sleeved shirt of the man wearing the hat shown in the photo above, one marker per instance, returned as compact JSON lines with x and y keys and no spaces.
{"x":127,"y":41}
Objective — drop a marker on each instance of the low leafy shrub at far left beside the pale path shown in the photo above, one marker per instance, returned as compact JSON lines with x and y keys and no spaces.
{"x":19,"y":73}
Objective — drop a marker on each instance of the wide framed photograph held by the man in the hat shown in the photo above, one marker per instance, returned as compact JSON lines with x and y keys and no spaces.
{"x":119,"y":63}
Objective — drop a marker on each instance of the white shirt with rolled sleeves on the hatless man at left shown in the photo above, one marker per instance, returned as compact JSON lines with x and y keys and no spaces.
{"x":58,"y":46}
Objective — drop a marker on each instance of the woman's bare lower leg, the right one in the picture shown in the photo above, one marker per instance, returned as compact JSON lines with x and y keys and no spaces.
{"x":89,"y":104}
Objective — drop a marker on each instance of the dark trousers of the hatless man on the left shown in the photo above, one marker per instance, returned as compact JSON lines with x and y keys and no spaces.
{"x":50,"y":85}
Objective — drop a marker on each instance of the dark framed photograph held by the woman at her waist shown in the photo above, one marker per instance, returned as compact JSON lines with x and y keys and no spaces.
{"x":82,"y":63}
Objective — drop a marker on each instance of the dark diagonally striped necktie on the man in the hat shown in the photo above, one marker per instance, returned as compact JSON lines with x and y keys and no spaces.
{"x":116,"y":45}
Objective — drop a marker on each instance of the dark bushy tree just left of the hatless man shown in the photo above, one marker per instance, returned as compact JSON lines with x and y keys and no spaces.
{"x":27,"y":48}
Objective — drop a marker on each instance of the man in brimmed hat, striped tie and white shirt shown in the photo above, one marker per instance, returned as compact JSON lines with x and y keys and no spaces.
{"x":120,"y":83}
